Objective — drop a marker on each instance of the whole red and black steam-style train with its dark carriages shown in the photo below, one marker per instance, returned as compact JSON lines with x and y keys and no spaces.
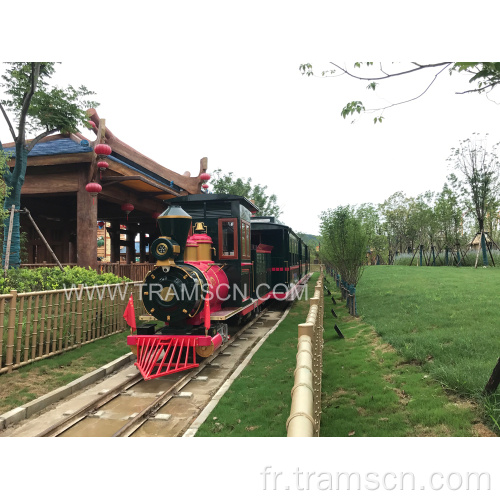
{"x":217,"y":263}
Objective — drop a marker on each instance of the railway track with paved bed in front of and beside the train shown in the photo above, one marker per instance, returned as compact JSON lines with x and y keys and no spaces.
{"x":161,"y":407}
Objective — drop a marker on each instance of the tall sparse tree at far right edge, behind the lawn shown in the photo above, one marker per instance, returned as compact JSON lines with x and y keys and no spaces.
{"x":477,"y":180}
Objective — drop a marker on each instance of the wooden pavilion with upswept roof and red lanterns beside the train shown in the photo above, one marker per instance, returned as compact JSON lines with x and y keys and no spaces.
{"x":54,"y":191}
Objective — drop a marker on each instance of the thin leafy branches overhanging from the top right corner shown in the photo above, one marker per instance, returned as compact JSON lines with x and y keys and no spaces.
{"x":485,"y":76}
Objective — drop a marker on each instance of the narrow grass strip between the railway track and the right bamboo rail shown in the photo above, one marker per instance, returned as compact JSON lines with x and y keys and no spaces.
{"x":264,"y":385}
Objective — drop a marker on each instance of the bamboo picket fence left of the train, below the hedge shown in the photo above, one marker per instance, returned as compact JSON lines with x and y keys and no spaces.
{"x":37,"y":325}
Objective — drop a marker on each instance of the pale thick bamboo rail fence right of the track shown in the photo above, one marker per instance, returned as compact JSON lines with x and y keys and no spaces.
{"x":305,"y":413}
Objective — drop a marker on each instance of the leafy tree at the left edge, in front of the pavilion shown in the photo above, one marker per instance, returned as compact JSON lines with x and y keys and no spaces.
{"x":38,"y":109}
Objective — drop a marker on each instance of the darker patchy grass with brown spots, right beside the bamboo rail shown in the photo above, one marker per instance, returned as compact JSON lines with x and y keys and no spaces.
{"x":368,"y":389}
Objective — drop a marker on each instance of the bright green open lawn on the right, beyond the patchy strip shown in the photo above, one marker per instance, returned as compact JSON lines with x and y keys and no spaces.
{"x":442,"y":319}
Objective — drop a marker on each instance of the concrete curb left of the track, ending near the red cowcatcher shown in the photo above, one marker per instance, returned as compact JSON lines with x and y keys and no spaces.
{"x":17,"y":414}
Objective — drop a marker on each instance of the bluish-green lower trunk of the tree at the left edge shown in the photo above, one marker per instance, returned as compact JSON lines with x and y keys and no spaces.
{"x":15,"y":182}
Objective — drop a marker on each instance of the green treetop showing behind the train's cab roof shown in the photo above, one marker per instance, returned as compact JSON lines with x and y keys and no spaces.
{"x":227,"y":184}
